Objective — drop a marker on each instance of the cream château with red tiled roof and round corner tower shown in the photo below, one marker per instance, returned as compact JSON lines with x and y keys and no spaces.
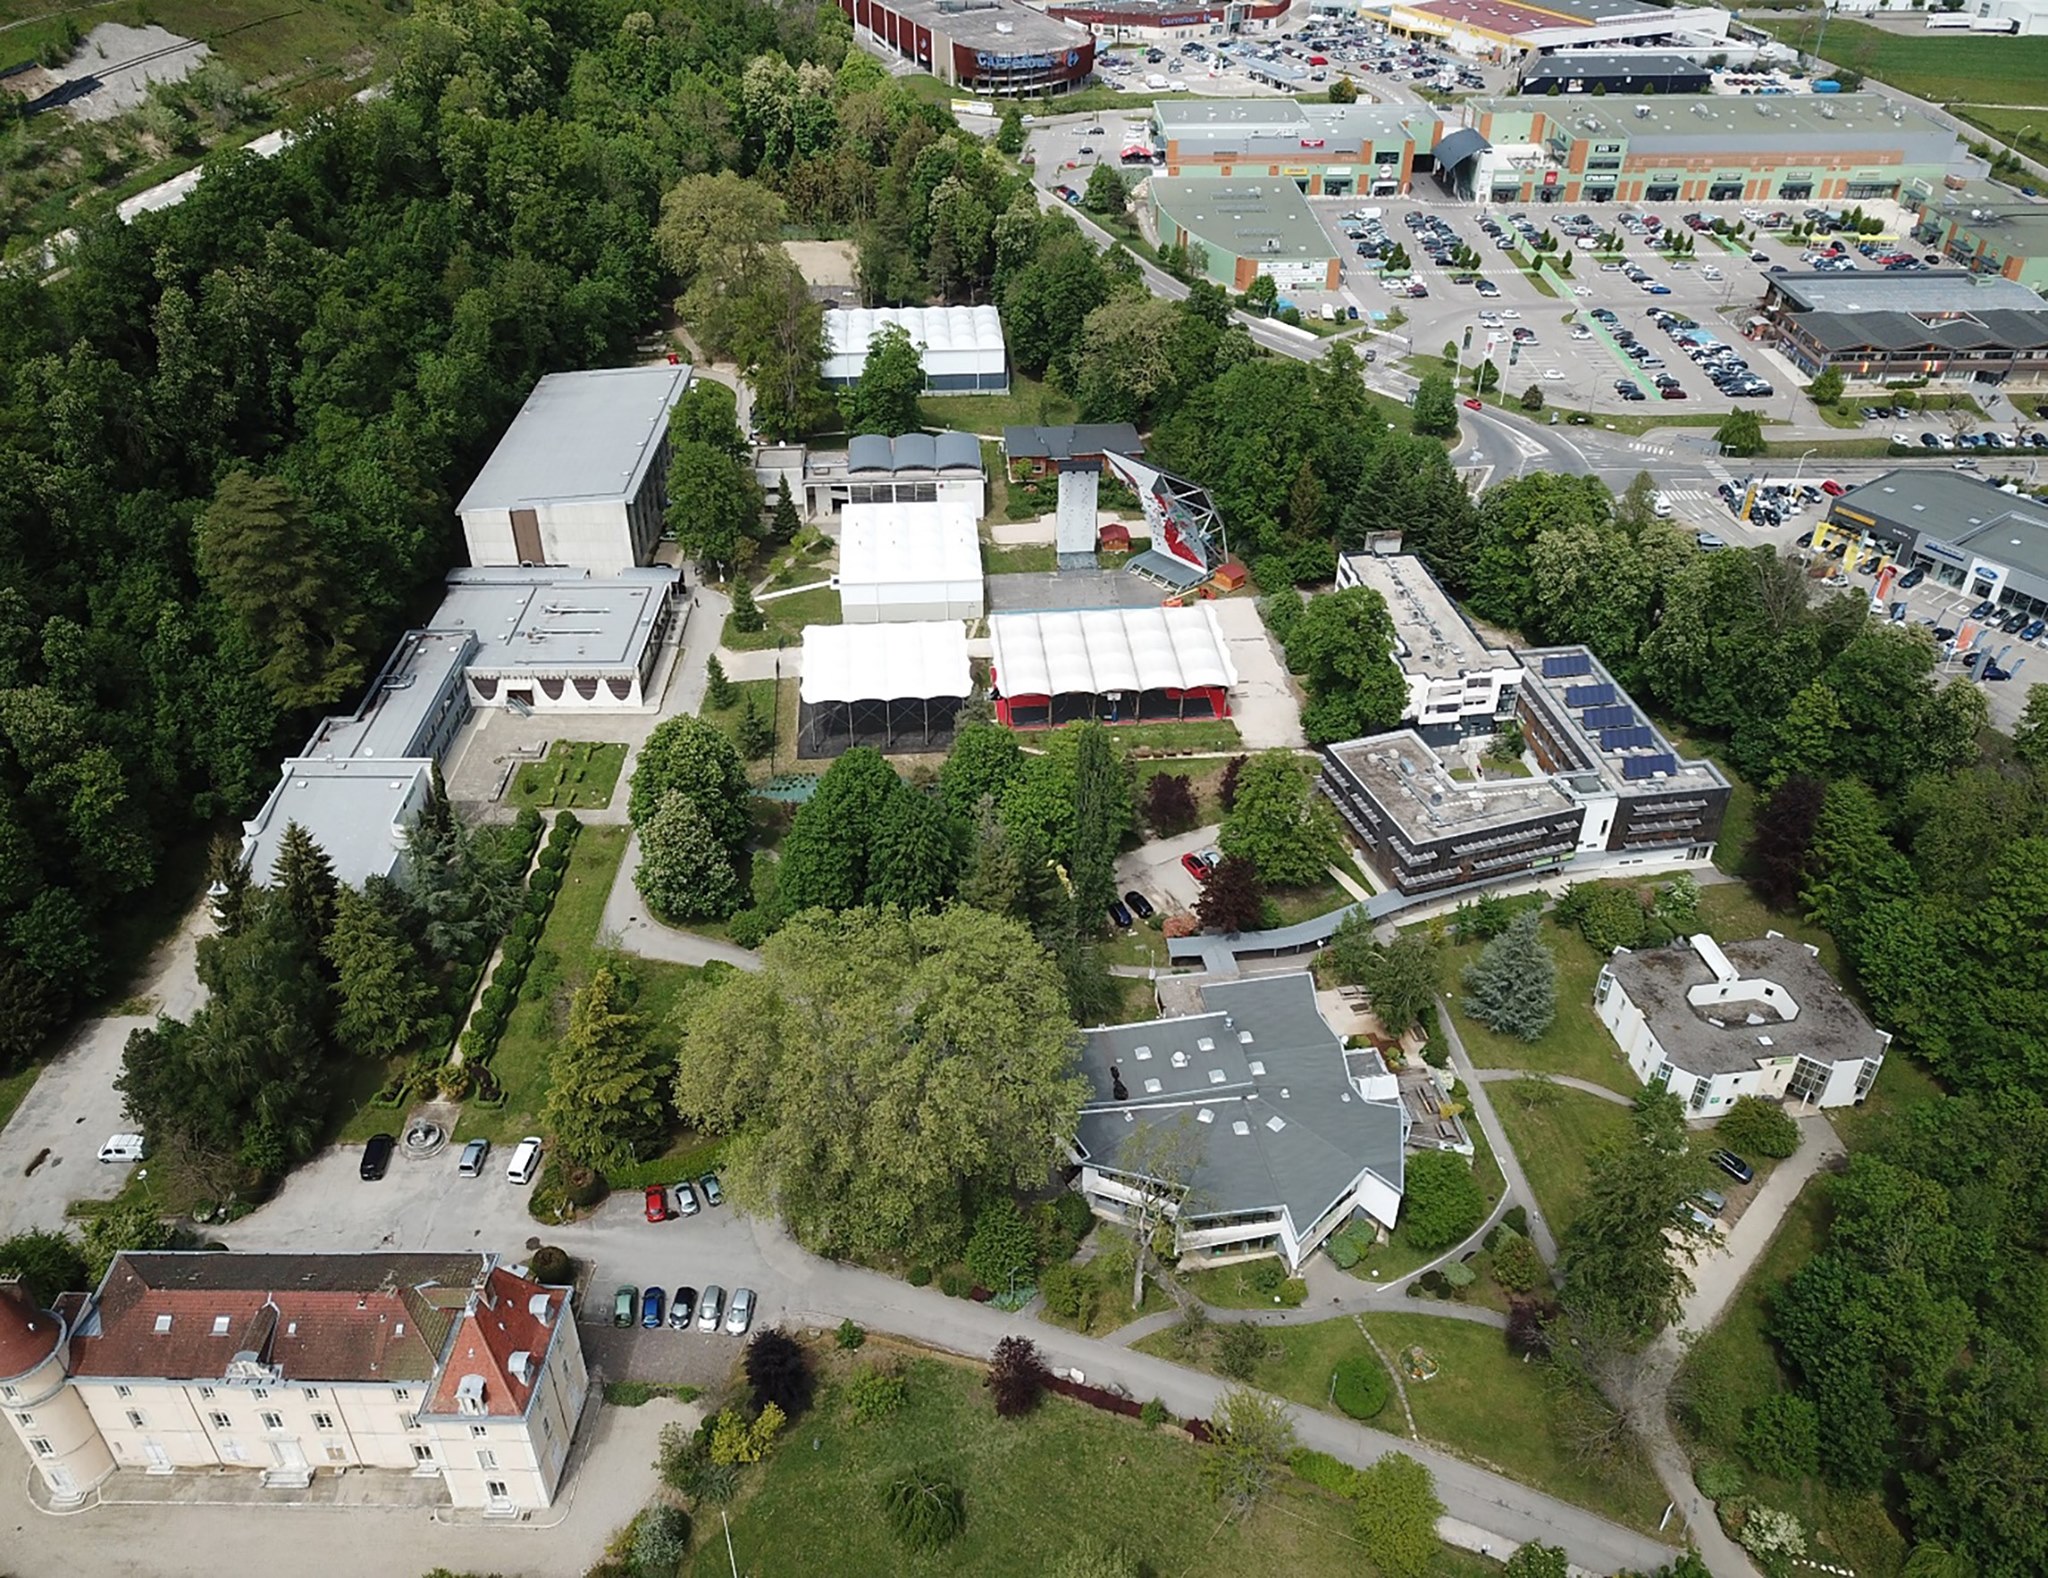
{"x":284,"y":1368}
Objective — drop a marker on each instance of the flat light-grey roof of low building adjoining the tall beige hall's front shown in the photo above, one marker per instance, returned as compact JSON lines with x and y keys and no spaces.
{"x":556,"y":619}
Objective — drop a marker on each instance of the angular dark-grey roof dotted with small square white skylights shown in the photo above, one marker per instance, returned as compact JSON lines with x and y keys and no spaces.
{"x":1275,"y":1069}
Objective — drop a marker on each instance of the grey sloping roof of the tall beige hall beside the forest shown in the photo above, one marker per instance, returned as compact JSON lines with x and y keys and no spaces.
{"x":581,"y":437}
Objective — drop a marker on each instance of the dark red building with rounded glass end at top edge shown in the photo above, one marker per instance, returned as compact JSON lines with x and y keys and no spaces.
{"x":994,"y":48}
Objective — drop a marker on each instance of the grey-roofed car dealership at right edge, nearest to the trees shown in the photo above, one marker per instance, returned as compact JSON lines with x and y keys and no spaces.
{"x":1965,"y":533}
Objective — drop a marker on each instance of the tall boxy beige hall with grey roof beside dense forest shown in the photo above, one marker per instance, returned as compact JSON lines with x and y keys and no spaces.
{"x":581,"y":478}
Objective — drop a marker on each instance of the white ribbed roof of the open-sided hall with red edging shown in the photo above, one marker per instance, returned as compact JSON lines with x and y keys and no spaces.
{"x":1107,"y":650}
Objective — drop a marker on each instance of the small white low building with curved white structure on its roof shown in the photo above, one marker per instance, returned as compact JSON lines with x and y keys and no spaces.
{"x":1717,"y":1022}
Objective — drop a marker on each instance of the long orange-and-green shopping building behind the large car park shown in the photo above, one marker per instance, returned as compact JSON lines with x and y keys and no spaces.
{"x":1824,"y":148}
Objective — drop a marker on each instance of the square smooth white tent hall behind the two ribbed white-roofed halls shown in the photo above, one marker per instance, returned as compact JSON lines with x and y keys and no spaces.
{"x":908,"y":562}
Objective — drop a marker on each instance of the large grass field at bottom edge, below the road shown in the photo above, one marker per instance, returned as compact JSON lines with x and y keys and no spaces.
{"x":1035,"y":1489}
